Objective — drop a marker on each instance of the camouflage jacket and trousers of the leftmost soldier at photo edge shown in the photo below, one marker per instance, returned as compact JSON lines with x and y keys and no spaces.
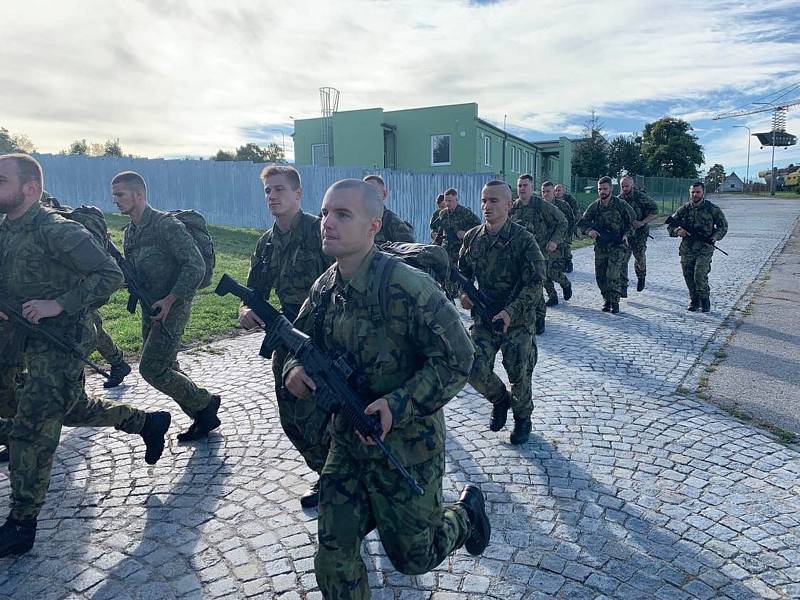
{"x":52,"y":394}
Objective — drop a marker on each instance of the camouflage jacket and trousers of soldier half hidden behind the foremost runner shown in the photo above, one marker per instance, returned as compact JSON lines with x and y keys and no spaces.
{"x":289,"y":263}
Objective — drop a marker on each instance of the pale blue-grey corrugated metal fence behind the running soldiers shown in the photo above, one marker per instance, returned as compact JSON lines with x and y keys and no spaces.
{"x":230,"y":193}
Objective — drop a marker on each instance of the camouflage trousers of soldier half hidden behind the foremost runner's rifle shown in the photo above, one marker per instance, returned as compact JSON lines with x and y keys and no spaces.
{"x":302,"y":421}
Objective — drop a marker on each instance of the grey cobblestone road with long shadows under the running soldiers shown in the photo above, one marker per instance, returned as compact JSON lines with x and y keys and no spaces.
{"x":630,"y":487}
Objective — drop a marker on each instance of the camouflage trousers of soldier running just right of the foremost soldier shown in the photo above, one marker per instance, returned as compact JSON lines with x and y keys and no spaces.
{"x":519,"y":357}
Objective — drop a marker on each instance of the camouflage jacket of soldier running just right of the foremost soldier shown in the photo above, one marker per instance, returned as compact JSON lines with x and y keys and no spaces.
{"x":508,"y":266}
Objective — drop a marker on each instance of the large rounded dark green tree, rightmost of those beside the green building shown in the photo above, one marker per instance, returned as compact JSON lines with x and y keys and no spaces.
{"x":670,"y":148}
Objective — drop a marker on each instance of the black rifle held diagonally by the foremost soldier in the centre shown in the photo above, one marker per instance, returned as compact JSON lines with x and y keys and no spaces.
{"x":333,"y":393}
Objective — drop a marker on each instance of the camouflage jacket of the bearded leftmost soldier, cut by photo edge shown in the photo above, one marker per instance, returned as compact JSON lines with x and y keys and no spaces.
{"x":44,"y":256}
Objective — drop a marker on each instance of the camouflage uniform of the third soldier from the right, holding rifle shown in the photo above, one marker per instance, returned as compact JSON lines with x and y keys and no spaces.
{"x":616,"y":218}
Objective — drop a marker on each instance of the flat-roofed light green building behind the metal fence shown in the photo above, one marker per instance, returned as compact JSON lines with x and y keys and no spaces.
{"x":449,"y":138}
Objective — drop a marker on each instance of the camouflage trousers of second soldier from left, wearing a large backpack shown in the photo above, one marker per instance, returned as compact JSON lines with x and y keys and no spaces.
{"x":159,"y":366}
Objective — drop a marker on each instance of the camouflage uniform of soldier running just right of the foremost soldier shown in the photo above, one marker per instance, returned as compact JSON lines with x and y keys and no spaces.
{"x":509,"y":268}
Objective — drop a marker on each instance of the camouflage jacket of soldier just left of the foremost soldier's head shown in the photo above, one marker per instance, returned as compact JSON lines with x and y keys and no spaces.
{"x":289,"y":262}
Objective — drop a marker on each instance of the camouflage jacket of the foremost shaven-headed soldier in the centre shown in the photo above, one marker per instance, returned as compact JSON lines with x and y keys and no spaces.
{"x":418,"y":357}
